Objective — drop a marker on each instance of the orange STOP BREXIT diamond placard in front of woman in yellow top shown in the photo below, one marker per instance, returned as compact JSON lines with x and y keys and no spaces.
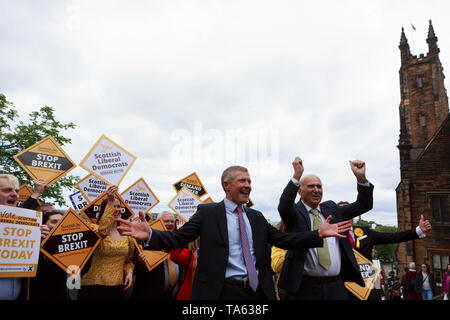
{"x":70,"y":243}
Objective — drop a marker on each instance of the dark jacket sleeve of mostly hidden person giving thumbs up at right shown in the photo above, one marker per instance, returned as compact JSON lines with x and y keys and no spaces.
{"x":370,"y":237}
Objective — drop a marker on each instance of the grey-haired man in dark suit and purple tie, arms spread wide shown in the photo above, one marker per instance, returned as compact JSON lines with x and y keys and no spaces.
{"x":234,"y":257}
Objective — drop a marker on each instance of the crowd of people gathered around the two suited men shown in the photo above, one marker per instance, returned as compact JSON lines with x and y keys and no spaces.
{"x":226,"y":251}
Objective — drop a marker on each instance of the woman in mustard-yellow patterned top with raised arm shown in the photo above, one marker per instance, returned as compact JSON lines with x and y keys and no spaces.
{"x":111,"y":270}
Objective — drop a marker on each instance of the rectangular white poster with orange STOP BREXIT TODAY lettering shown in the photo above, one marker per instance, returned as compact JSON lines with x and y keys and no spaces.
{"x":20,"y":236}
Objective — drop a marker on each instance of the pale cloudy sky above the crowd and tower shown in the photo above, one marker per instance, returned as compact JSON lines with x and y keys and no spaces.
{"x":200,"y":85}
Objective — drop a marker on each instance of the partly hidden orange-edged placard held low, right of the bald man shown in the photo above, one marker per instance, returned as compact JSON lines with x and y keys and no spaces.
{"x":369,"y":273}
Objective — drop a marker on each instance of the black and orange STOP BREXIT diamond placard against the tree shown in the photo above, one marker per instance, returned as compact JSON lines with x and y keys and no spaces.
{"x":45,"y":160}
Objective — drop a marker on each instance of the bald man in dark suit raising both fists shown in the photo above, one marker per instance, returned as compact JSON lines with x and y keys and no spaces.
{"x":319,"y":274}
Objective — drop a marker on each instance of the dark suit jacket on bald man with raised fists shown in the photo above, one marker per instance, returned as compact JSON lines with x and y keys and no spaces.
{"x":296,"y":218}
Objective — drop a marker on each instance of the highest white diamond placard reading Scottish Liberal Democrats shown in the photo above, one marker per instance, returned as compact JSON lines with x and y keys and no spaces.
{"x":108,"y":161}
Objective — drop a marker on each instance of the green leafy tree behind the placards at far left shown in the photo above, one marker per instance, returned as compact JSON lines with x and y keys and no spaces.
{"x":16,"y":135}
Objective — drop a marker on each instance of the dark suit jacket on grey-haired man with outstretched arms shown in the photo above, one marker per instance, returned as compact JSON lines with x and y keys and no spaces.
{"x":210,"y":223}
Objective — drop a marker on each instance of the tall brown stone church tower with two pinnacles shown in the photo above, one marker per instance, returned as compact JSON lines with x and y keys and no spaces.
{"x":424,"y":146}
